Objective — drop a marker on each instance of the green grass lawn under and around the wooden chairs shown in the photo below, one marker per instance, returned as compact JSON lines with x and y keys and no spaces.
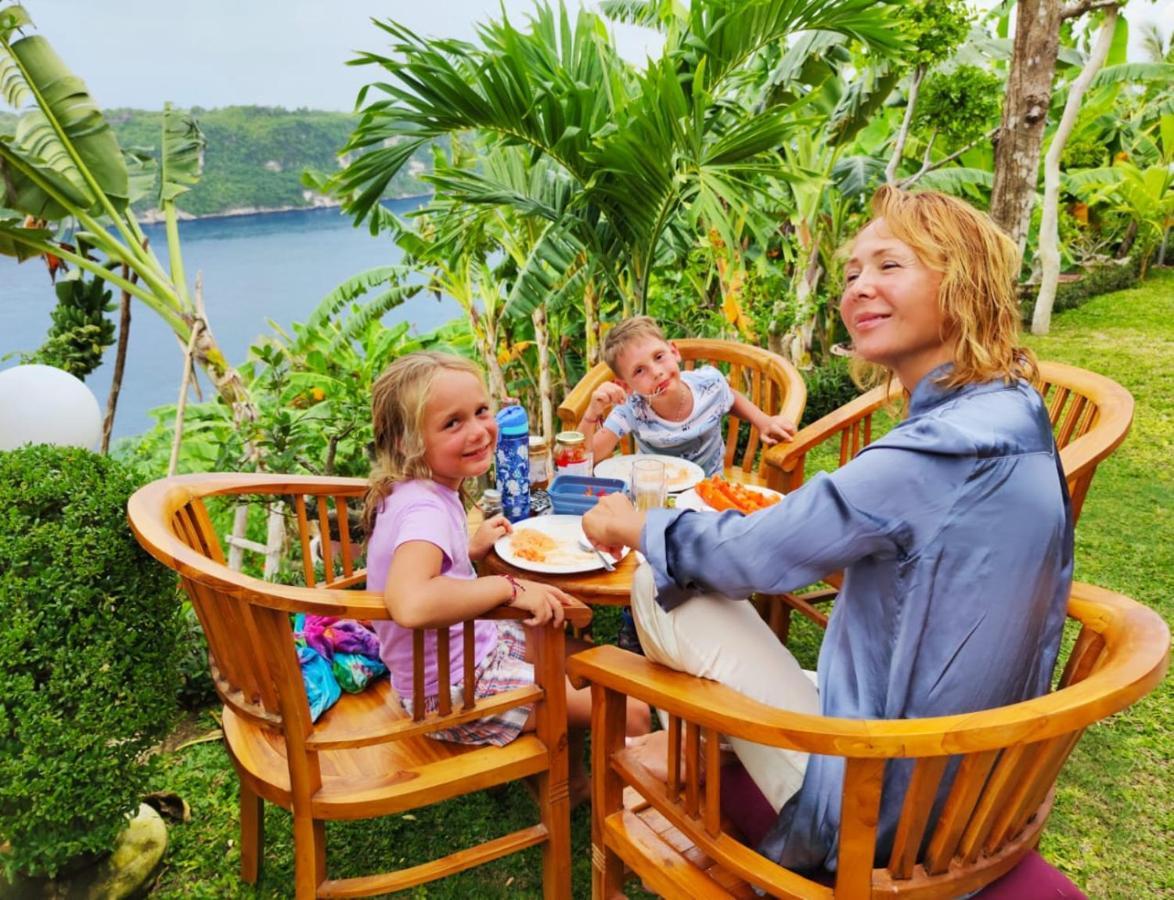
{"x":1115,"y":813}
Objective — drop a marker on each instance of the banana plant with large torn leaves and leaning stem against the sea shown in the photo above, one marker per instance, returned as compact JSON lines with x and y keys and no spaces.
{"x":63,"y":166}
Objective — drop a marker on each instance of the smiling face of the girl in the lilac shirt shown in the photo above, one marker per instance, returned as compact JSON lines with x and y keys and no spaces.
{"x":460,"y":430}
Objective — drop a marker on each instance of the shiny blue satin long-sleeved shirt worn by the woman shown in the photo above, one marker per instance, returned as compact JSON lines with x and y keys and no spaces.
{"x":955,"y":536}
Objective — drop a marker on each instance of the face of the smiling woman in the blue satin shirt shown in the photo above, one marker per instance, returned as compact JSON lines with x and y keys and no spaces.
{"x":890,"y":307}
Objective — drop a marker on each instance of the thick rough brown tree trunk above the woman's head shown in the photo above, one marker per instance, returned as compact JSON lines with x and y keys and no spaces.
{"x":1025,"y":116}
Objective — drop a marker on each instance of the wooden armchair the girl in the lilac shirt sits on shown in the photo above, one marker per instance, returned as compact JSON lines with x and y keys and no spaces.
{"x":365,"y":757}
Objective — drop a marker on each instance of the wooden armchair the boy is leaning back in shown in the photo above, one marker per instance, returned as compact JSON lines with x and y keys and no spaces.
{"x":770,"y":381}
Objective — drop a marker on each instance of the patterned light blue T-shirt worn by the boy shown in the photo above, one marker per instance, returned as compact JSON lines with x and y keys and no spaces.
{"x":698,"y":439}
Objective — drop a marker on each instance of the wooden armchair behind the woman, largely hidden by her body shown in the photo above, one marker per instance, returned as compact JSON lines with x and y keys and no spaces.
{"x":1091,"y":416}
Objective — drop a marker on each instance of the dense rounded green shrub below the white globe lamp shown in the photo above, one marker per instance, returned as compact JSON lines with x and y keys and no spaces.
{"x":89,"y":627}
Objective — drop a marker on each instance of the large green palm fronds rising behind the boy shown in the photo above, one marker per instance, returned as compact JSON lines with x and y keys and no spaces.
{"x":643,"y":151}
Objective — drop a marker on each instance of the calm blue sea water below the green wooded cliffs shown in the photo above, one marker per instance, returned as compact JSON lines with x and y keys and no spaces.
{"x":255,"y":269}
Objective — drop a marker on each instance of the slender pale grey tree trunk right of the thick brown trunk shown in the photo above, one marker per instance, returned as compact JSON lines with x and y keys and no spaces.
{"x":1049,"y":228}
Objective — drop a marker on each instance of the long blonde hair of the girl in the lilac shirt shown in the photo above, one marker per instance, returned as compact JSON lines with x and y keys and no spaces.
{"x":399,"y":401}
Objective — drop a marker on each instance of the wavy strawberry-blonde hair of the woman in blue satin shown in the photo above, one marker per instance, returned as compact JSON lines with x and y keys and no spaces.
{"x":980,"y":268}
